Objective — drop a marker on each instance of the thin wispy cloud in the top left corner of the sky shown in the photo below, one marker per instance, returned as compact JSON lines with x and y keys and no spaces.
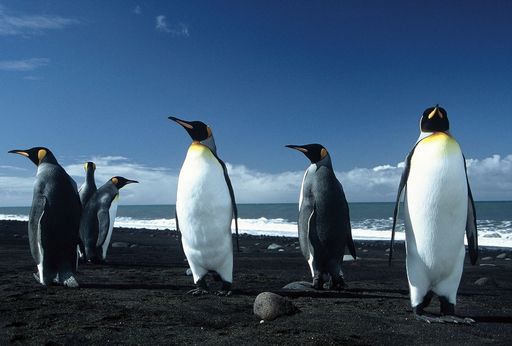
{"x":11,"y":24}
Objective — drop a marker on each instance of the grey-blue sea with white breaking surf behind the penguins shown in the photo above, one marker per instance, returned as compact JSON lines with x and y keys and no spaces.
{"x":370,"y":221}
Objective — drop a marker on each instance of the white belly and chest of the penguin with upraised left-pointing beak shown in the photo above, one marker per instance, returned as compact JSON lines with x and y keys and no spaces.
{"x":205,"y":211}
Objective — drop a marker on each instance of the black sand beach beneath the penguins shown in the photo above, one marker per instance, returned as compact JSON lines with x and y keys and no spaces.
{"x":139,"y":298}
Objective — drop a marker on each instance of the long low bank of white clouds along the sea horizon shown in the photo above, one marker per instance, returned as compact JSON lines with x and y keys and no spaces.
{"x":490,"y":179}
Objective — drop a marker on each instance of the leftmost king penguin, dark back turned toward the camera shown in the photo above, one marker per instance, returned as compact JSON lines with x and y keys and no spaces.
{"x":54,"y":220}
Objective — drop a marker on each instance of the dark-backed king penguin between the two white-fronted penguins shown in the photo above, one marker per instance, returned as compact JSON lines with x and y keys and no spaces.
{"x":324,"y":220}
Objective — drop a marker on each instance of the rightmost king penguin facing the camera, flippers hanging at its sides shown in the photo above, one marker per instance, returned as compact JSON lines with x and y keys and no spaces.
{"x":438,"y":210}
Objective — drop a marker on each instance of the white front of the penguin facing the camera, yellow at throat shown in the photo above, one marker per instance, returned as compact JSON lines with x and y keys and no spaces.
{"x":435,"y":213}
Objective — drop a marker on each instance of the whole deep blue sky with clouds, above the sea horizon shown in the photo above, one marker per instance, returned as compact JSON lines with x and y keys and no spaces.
{"x":95,"y":80}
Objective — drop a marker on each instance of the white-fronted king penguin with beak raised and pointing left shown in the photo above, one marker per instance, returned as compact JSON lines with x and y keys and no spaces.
{"x":205,"y":207}
